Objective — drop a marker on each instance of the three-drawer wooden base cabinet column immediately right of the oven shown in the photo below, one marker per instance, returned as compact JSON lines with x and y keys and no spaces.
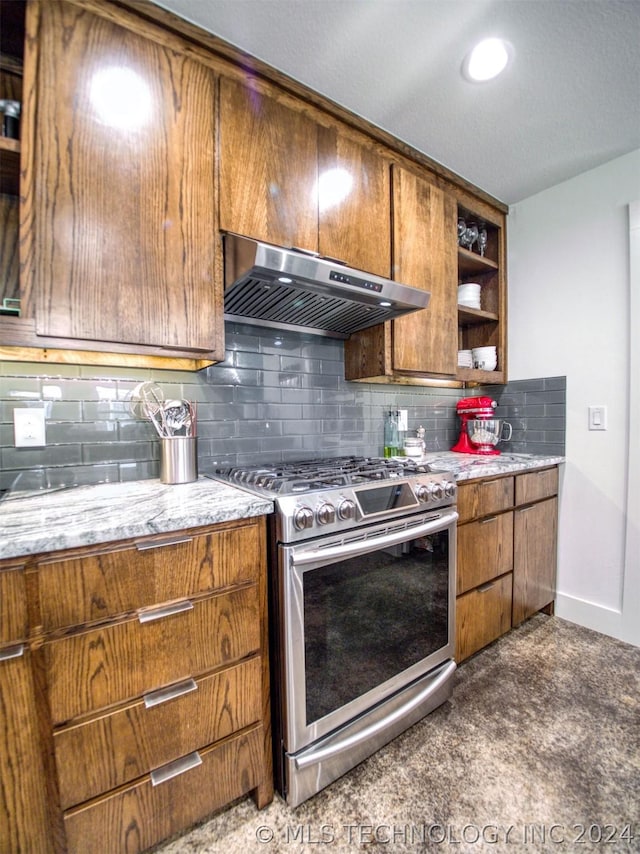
{"x":485,"y":563}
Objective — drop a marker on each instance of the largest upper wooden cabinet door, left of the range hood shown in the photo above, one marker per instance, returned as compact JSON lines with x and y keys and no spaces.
{"x":124,"y":185}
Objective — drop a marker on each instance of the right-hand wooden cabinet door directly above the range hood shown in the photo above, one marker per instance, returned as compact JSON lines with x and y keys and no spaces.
{"x":354,"y":203}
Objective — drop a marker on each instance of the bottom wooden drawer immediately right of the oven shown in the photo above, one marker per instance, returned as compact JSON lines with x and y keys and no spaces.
{"x":482,"y":615}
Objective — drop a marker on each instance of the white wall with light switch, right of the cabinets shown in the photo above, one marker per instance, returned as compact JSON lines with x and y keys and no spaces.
{"x":569,"y":304}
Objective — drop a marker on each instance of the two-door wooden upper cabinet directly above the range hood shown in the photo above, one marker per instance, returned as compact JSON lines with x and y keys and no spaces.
{"x":290,"y":180}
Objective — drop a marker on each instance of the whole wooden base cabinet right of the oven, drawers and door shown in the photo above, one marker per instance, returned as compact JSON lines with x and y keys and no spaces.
{"x":507,"y":554}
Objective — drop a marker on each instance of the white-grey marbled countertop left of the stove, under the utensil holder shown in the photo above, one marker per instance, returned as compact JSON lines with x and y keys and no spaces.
{"x":32,"y":523}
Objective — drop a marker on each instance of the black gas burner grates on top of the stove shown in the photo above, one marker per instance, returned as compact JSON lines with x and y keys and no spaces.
{"x":312,"y":475}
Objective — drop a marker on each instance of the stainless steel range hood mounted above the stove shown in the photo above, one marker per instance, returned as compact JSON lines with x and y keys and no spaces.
{"x":289,"y":289}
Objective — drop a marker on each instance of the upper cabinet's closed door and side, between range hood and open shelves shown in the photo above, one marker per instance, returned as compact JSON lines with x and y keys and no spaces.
{"x":424,"y":256}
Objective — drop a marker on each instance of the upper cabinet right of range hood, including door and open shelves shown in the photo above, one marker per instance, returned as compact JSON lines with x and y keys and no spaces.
{"x":423,"y":346}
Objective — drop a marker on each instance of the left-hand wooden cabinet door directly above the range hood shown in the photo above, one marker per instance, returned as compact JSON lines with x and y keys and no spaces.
{"x":268,"y":168}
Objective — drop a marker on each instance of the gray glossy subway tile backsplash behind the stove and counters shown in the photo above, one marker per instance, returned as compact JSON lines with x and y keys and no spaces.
{"x":275,"y":397}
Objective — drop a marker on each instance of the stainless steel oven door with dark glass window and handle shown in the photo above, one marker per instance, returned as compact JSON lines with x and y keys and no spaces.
{"x":363,"y":615}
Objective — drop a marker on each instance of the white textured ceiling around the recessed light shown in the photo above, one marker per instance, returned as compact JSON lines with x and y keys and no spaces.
{"x":569,"y":102}
